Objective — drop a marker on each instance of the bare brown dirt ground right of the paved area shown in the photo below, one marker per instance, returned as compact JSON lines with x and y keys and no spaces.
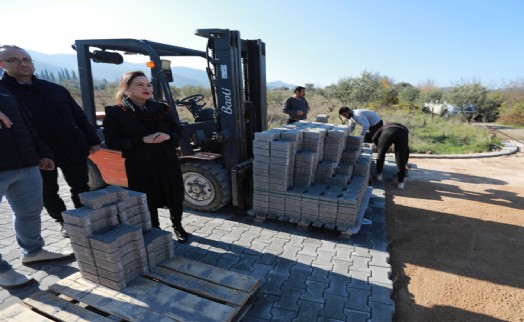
{"x":457,"y":240}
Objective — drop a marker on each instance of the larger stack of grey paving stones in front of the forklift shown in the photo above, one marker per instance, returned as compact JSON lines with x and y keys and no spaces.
{"x":310,"y":173}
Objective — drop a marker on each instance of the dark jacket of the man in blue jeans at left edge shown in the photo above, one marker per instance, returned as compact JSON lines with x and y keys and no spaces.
{"x":20,"y":146}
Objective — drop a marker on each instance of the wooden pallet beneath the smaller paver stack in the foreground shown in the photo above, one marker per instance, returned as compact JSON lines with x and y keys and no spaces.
{"x":177,"y":290}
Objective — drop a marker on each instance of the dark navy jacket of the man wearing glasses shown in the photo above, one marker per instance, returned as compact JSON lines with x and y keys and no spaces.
{"x":56,"y":117}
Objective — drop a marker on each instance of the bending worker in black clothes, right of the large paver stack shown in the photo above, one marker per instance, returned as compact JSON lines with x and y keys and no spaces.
{"x":393,"y":134}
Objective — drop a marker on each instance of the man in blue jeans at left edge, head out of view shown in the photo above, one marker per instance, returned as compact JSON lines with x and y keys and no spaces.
{"x":23,"y":153}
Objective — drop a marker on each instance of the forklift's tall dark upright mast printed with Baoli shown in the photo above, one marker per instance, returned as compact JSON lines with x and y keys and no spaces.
{"x":238,"y":77}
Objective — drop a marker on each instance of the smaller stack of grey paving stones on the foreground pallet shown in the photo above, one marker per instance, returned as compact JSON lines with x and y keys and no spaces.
{"x":112,"y":237}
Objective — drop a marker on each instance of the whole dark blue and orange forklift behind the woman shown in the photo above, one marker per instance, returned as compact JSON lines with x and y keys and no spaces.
{"x":216,"y":151}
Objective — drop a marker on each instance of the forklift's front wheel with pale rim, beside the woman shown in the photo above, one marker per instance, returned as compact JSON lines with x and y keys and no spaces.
{"x":207,"y":186}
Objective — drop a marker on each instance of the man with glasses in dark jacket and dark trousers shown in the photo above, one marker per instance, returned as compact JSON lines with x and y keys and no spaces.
{"x":58,"y":120}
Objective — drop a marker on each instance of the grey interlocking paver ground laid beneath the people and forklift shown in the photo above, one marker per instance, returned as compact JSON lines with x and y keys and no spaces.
{"x":308,"y":274}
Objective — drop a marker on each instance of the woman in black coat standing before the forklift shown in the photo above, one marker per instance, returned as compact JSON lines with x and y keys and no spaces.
{"x":147,"y":134}
